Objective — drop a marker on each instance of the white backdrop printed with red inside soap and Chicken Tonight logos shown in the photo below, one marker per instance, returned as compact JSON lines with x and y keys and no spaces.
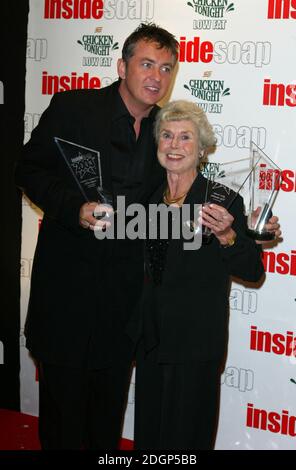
{"x":236,"y":61}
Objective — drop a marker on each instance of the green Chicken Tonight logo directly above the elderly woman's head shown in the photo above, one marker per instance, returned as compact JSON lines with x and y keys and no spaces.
{"x":209,"y":93}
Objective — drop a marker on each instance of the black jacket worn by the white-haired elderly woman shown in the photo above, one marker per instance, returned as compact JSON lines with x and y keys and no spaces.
{"x":187,"y":314}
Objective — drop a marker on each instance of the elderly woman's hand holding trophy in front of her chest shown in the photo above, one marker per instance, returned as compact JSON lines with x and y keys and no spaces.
{"x":219,"y":220}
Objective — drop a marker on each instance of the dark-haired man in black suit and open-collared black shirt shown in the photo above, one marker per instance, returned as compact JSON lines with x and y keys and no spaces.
{"x":83,"y":290}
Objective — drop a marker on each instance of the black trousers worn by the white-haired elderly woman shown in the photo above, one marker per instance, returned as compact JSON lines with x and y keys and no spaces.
{"x":176,"y":404}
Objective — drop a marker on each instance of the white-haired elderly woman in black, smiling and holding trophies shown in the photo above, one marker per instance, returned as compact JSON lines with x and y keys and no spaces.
{"x":184,"y":309}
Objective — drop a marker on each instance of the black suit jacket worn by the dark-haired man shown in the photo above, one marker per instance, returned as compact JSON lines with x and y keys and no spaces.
{"x":82,"y":289}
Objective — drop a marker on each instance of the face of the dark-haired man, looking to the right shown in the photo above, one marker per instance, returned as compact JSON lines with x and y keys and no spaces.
{"x":147,"y":76}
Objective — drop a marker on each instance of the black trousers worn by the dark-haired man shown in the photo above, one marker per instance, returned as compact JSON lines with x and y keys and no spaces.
{"x":80,"y":408}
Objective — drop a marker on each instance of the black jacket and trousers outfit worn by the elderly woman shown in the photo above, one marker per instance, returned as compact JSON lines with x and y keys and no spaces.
{"x":181,"y":332}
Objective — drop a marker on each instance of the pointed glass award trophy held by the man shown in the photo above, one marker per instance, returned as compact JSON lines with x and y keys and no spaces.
{"x":85,"y":165}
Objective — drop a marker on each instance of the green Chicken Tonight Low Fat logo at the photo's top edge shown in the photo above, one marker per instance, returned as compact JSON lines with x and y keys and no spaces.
{"x":212,"y":11}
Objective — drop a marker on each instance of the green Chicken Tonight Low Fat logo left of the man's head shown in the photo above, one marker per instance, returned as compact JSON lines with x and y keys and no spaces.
{"x":100,"y":46}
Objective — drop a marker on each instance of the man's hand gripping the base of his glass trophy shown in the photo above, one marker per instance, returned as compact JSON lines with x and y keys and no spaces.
{"x":94,"y":216}
